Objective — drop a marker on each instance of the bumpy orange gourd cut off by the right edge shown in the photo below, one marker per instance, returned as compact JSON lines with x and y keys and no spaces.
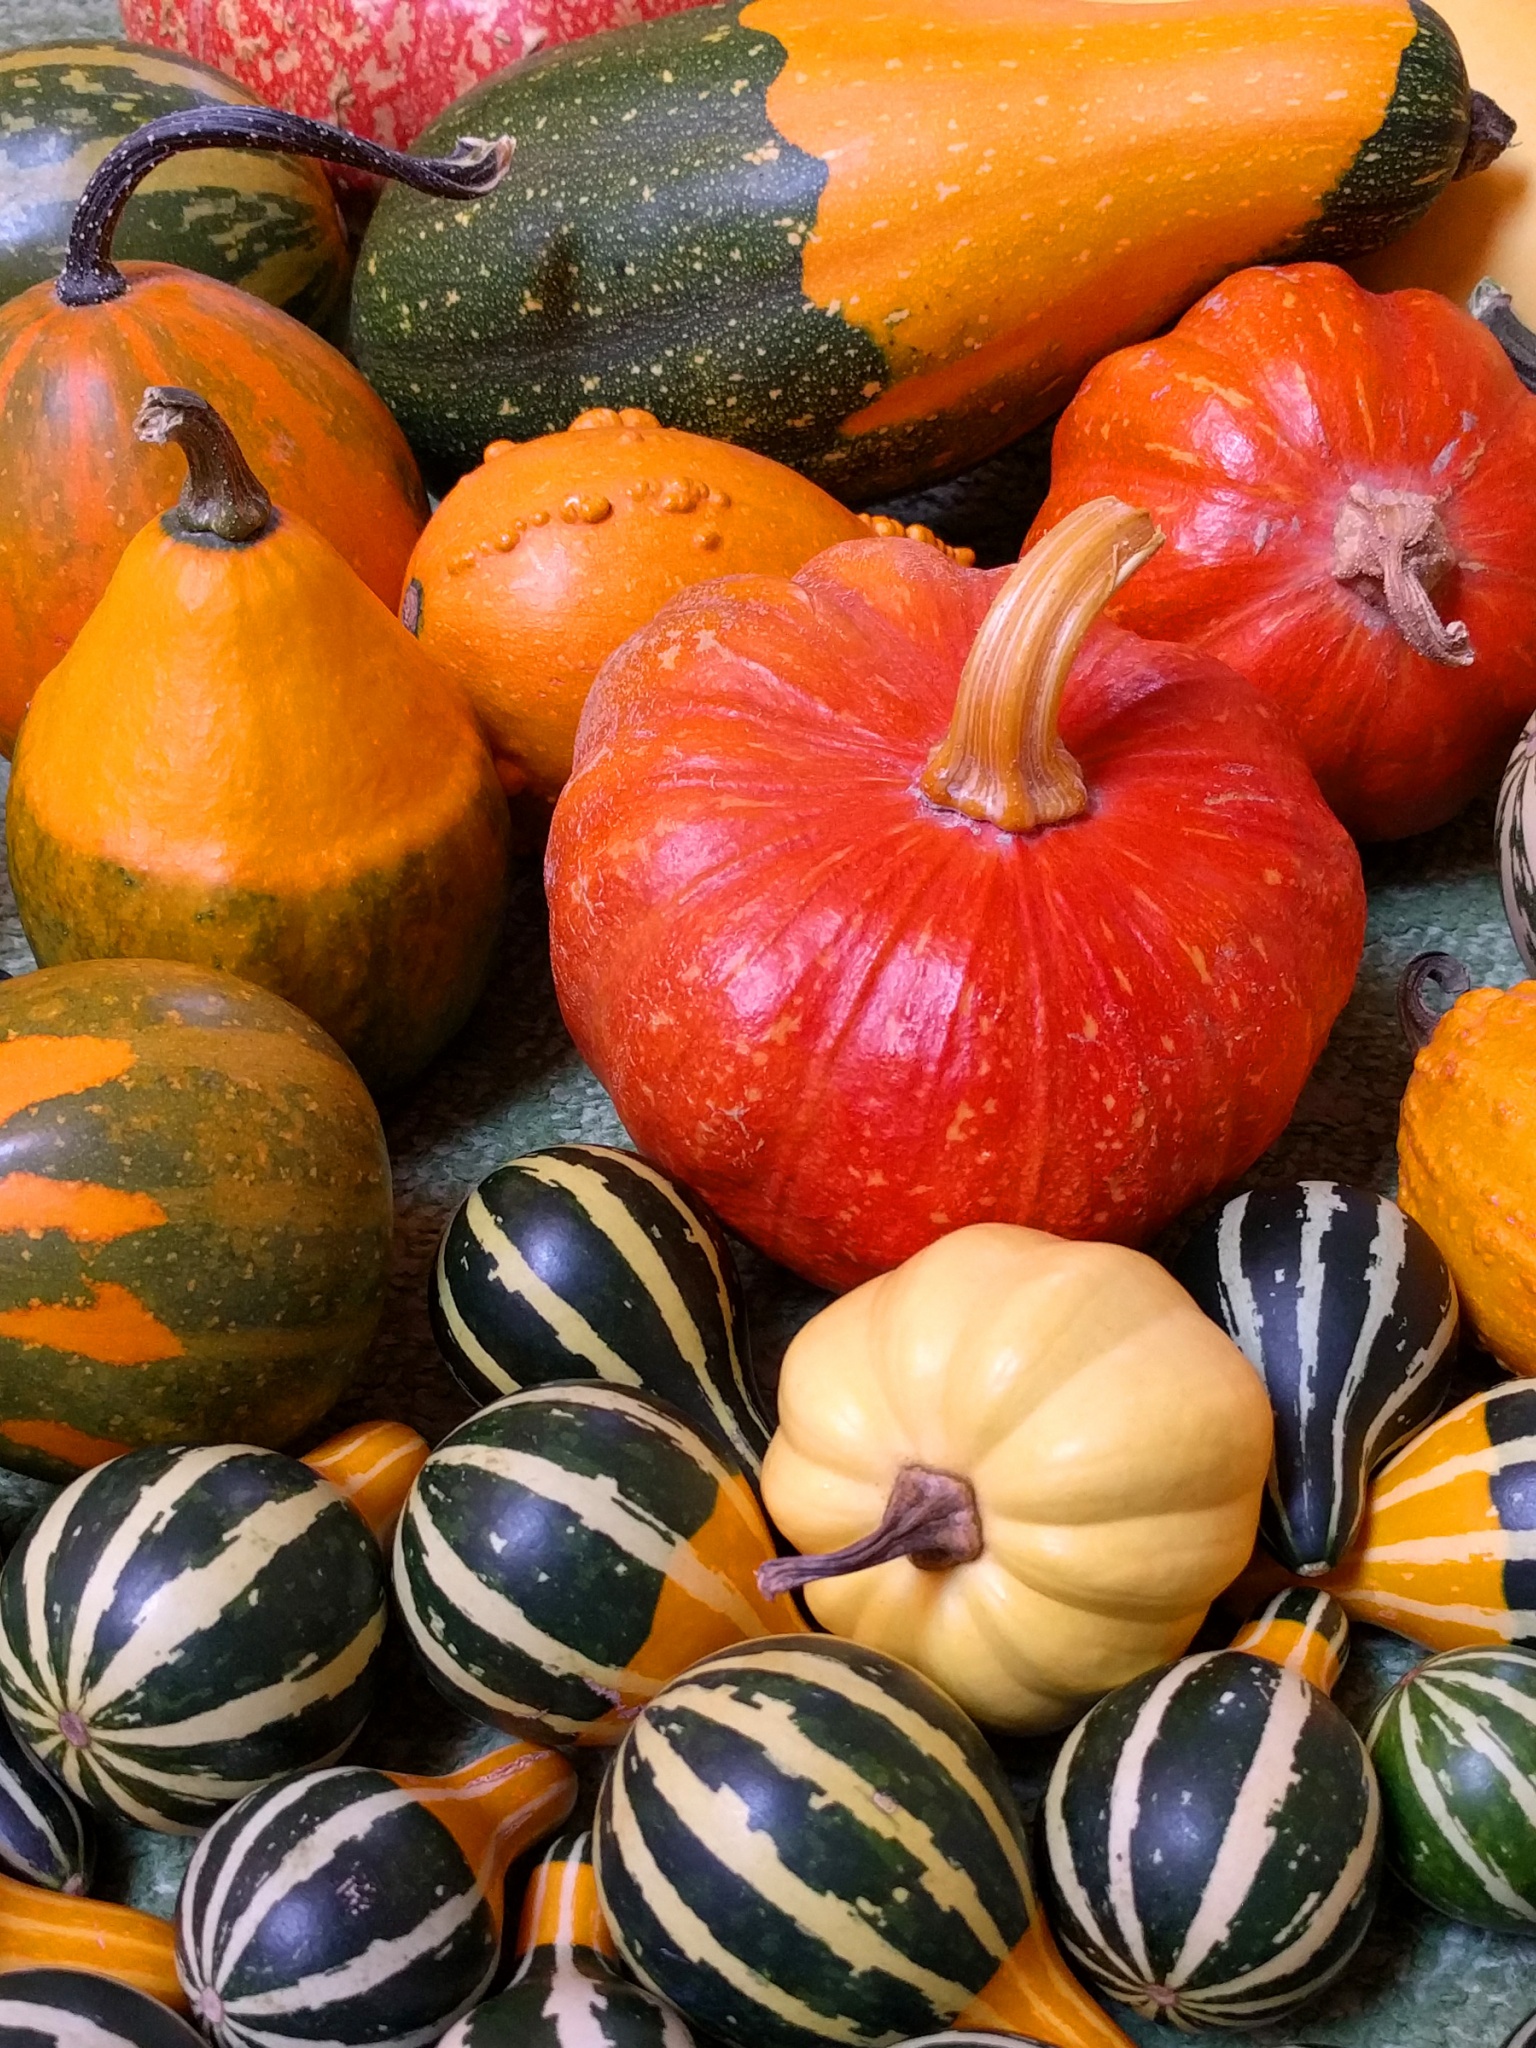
{"x":1467,"y":1162}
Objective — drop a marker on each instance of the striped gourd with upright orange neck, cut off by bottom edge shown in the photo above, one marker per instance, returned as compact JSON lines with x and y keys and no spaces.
{"x":568,"y":1990}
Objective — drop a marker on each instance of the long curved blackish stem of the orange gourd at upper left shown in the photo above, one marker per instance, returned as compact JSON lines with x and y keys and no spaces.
{"x":89,"y":275}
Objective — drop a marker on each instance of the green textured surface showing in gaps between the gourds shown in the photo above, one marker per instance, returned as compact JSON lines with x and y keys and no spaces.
{"x":515,"y":1082}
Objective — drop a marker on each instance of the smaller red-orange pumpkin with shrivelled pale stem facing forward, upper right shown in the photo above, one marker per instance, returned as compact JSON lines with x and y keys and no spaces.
{"x":1347,"y":490}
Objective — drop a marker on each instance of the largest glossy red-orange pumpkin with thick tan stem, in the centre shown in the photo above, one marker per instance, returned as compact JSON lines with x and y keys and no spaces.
{"x":861,"y":959}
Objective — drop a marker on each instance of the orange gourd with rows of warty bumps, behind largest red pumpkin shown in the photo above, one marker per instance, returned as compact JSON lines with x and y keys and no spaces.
{"x":556,"y":550}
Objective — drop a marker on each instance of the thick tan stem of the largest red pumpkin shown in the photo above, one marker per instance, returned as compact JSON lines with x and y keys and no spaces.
{"x":1002,"y":759}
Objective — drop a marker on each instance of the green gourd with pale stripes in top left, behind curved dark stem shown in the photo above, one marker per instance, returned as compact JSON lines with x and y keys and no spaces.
{"x":257,"y":220}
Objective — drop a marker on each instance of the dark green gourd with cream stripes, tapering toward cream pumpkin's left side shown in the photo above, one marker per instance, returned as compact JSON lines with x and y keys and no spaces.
{"x":589,"y":1263}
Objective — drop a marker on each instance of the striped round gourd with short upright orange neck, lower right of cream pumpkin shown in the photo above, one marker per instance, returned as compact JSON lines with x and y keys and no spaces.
{"x":1213,"y":1832}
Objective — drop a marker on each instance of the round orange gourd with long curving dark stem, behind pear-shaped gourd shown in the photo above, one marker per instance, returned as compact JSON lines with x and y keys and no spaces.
{"x":77,"y":355}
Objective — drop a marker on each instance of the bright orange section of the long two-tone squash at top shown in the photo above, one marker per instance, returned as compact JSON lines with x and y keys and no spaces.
{"x":1048,"y":202}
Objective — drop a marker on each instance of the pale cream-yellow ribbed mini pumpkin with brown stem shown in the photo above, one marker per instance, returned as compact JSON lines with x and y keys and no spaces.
{"x":1039,"y":1463}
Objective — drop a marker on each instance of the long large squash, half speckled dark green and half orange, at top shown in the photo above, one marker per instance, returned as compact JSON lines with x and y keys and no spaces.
{"x":880,"y":241}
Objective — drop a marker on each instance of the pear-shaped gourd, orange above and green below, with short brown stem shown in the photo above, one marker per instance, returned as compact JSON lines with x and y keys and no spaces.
{"x":247,"y":763}
